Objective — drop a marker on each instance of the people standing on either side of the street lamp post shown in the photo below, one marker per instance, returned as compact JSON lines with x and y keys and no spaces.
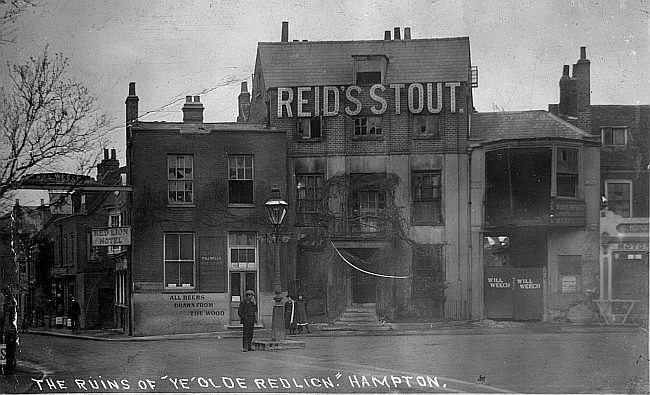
{"x":295,"y":317}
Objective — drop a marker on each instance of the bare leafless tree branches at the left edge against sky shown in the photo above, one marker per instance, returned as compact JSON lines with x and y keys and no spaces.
{"x":47,"y":122}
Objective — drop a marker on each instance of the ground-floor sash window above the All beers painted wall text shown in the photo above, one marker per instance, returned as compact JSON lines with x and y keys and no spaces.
{"x":179,"y":261}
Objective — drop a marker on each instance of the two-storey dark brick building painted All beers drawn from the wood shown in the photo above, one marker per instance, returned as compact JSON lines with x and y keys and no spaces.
{"x":198,"y":219}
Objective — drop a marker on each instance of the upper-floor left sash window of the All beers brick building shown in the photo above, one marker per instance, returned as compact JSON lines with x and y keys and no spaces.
{"x":180,"y":179}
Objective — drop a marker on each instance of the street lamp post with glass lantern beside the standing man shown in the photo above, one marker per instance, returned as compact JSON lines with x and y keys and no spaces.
{"x":277,"y":209}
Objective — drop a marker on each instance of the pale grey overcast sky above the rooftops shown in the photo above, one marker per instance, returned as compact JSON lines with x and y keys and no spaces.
{"x":174,"y":48}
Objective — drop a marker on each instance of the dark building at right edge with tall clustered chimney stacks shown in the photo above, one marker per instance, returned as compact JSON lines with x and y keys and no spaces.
{"x":624,"y":132}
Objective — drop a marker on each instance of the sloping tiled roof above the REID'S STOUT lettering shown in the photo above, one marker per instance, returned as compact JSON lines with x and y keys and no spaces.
{"x":308,"y":63}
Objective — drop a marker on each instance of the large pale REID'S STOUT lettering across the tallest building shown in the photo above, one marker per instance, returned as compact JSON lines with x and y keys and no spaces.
{"x":331,"y":100}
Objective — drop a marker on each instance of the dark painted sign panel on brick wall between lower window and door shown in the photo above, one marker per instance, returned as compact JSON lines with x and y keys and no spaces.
{"x":212,"y":265}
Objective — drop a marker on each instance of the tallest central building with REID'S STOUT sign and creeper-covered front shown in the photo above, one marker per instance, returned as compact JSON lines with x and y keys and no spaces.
{"x":376,"y":136}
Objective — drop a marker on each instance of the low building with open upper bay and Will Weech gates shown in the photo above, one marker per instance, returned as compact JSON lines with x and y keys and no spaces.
{"x":536,"y":198}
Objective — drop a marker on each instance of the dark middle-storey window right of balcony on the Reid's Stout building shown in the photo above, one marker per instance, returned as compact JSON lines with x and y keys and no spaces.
{"x":427,"y":204}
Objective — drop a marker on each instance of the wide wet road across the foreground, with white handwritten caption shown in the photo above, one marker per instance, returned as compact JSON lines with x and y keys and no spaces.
{"x":524,"y":363}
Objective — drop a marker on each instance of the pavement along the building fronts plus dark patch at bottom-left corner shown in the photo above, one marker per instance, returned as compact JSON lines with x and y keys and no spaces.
{"x":22,"y":381}
